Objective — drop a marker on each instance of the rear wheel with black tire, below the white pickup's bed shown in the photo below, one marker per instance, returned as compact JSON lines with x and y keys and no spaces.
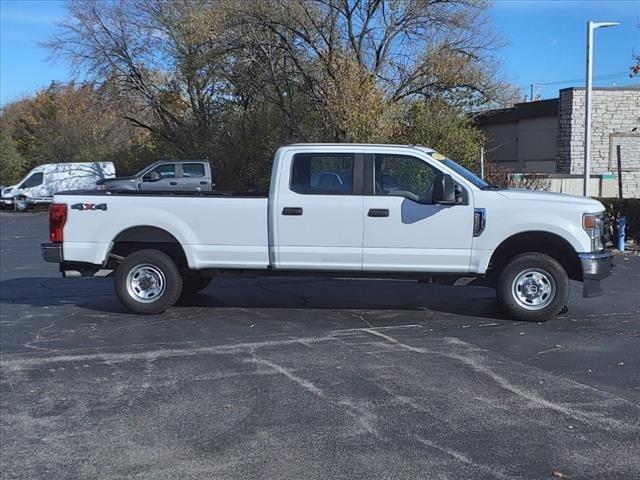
{"x":148,"y":272}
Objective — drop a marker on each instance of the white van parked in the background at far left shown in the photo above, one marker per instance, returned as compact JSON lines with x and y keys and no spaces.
{"x":41,"y":183}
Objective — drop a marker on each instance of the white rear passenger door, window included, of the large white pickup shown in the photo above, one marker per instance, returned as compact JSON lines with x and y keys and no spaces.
{"x":318,"y":212}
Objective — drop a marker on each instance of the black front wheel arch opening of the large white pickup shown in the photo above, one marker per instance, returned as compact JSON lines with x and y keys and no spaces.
{"x":536,"y":241}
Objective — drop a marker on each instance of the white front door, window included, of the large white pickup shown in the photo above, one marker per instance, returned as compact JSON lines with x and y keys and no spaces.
{"x":403,"y":229}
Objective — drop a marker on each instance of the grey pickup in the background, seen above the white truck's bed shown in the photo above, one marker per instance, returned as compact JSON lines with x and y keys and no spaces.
{"x":165,"y":176}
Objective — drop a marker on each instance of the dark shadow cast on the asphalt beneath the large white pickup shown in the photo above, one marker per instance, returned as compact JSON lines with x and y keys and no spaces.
{"x":98,"y":294}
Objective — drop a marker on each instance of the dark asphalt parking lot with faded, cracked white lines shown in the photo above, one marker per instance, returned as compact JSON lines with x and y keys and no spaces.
{"x":310,"y":378}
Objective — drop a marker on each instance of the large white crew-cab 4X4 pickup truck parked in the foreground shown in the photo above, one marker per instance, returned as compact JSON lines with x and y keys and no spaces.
{"x":340,"y":210}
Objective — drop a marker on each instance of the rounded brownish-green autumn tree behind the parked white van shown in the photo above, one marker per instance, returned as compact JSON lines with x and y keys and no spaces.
{"x":76,"y":123}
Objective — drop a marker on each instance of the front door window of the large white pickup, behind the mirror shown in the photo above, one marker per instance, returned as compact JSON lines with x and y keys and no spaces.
{"x":404,"y":176}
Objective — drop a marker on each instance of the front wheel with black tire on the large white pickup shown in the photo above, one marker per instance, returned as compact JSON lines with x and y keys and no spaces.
{"x":523,"y":283}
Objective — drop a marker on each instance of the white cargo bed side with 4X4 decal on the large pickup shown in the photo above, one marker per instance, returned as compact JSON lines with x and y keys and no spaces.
{"x":217,"y":230}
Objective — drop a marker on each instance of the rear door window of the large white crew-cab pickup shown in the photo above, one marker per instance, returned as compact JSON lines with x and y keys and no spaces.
{"x":322,"y":173}
